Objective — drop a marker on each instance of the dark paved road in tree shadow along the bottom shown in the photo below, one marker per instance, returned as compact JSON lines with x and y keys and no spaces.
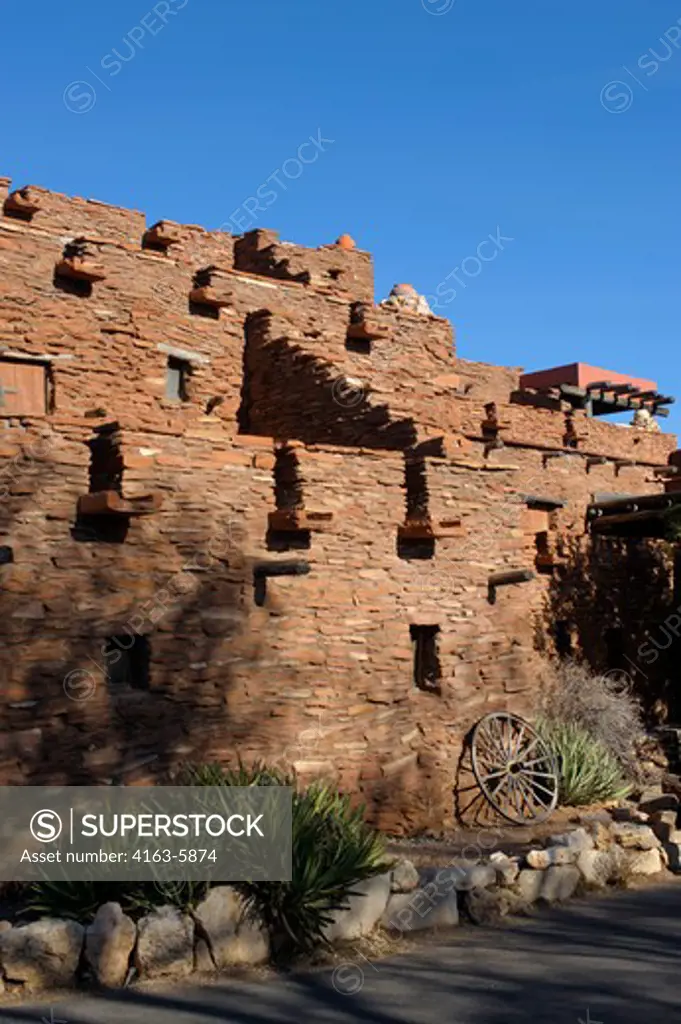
{"x":615,"y":961}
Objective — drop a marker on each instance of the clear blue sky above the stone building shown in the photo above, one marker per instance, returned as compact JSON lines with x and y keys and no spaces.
{"x":449,"y":120}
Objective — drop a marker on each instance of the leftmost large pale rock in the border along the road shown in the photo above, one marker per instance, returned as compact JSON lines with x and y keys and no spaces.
{"x":42,"y":955}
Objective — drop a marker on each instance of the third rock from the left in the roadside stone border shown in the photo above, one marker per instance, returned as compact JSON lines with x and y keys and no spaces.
{"x":165,"y":944}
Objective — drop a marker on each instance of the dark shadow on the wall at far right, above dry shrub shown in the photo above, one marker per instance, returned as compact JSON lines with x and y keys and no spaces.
{"x":611,"y":604}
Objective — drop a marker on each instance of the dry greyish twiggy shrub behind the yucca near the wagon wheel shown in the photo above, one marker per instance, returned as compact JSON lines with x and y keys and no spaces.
{"x":604,"y":706}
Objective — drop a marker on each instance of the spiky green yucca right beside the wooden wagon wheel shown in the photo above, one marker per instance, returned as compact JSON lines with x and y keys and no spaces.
{"x":589,"y":774}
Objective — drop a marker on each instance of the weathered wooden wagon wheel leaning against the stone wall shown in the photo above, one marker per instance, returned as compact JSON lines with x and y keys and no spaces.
{"x":515,"y":769}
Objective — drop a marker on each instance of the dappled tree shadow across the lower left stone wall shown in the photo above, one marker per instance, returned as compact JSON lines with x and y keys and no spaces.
{"x":78,"y":711}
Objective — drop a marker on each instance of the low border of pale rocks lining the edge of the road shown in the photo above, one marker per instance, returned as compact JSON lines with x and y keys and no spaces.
{"x":606,"y":848}
